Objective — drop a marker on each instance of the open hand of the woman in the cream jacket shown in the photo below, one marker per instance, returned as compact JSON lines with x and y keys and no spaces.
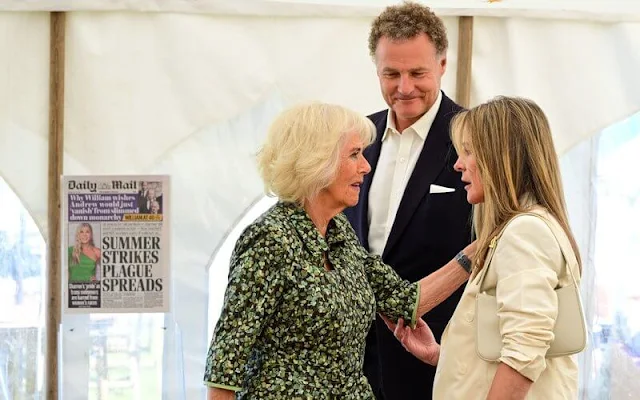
{"x":419,"y":341}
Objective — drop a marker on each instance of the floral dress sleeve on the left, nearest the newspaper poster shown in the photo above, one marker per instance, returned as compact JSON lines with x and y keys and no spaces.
{"x":254,"y":289}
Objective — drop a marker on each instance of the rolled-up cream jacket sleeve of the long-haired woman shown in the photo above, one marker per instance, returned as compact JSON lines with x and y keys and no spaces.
{"x":527,"y":263}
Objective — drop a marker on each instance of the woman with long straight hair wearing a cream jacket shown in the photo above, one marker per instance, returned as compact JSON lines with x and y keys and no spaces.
{"x":525,"y":252}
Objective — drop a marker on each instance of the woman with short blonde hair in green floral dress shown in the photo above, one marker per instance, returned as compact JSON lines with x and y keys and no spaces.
{"x":302,"y":292}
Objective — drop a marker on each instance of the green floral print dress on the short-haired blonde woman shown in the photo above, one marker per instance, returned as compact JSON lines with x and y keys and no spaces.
{"x":291,"y":329}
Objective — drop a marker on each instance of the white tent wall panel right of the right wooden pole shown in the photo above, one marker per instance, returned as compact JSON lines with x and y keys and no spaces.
{"x":584,"y":75}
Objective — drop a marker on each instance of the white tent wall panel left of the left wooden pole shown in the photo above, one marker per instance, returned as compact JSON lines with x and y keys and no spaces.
{"x":24,"y":94}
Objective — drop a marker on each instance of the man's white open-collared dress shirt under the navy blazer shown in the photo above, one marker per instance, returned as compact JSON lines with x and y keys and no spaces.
{"x":398,"y":157}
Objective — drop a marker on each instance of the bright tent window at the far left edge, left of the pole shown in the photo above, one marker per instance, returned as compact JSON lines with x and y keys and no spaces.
{"x":22,"y":285}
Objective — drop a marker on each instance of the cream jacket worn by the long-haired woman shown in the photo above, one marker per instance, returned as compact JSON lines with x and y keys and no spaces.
{"x":526,"y":268}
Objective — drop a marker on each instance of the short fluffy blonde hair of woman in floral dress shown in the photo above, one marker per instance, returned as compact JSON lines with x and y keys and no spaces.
{"x":301,"y":154}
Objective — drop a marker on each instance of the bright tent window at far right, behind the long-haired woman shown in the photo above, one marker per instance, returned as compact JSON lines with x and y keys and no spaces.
{"x":615,"y":356}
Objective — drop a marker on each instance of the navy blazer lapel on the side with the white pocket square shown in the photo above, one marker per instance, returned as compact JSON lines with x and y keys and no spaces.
{"x":430,"y":162}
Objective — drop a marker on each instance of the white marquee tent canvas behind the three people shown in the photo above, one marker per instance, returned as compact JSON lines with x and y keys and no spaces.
{"x":187,"y":88}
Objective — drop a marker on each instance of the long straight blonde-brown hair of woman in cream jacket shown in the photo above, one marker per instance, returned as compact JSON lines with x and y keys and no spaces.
{"x":517,"y":162}
